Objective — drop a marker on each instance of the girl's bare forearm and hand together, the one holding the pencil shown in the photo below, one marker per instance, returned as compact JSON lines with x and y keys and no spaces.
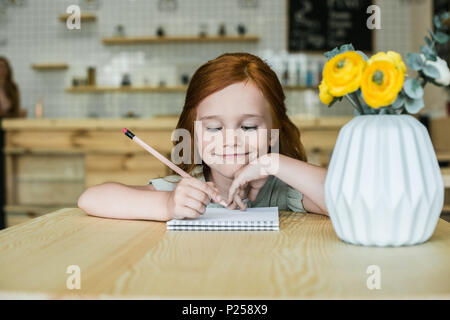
{"x":119,"y":201}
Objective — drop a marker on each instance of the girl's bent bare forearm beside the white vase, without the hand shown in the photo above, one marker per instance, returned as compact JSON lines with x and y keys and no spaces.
{"x":306,"y":178}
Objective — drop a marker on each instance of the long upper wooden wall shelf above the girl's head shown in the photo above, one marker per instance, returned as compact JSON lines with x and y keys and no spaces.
{"x":178,"y":39}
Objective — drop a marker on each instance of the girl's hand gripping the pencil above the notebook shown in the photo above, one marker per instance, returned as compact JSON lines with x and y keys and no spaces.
{"x":190,"y":198}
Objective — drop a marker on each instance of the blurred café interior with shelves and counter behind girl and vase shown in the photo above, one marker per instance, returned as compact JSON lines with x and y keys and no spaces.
{"x":128,"y":63}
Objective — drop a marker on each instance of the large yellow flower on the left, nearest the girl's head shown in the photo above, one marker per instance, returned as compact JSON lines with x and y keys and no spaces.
{"x":343,"y":73}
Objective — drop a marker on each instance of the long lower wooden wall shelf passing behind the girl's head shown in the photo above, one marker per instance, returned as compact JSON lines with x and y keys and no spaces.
{"x":93,"y":89}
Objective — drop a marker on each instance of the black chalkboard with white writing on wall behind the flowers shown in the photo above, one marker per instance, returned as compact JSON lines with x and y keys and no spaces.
{"x":321,"y":25}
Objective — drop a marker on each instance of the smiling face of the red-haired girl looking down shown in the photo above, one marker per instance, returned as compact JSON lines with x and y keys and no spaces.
{"x":233,"y":127}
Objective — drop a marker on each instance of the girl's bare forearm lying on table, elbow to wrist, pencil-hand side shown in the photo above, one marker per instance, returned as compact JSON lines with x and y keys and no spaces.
{"x":119,"y":201}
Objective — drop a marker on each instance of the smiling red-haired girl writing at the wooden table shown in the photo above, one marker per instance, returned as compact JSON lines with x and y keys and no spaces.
{"x":230,"y":102}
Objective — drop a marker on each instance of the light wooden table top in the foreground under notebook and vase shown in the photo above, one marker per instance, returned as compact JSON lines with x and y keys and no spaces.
{"x":139,"y":259}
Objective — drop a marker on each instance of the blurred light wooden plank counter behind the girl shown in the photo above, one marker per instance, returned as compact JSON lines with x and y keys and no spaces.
{"x":50,"y":162}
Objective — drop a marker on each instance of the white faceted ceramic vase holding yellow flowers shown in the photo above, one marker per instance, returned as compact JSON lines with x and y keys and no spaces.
{"x":384,"y":186}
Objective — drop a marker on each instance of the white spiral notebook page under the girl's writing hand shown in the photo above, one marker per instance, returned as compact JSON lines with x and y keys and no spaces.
{"x":219,"y":217}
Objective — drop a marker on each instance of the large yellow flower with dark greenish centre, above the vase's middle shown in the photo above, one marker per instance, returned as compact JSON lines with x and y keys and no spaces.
{"x":381,"y":82}
